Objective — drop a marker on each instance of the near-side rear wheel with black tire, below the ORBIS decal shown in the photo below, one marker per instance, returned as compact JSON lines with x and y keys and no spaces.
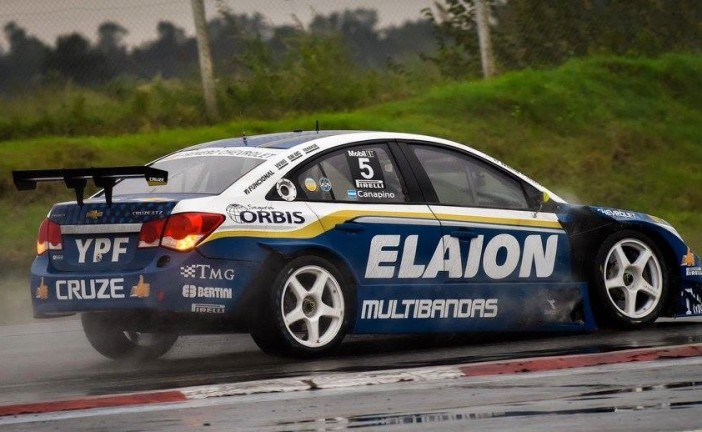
{"x":305,"y":313}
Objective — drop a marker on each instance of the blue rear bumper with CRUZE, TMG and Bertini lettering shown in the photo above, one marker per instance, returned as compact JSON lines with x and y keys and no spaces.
{"x":187,"y":283}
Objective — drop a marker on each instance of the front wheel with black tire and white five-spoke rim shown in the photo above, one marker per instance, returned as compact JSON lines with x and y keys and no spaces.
{"x":630,"y":281}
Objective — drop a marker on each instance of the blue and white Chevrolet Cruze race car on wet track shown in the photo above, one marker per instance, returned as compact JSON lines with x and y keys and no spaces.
{"x":301,"y":238}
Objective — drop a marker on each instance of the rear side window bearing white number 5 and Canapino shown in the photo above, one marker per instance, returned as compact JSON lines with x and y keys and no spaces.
{"x":363,"y":173}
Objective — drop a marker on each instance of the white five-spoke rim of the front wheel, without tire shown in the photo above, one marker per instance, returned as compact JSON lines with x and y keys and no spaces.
{"x":633,"y":278}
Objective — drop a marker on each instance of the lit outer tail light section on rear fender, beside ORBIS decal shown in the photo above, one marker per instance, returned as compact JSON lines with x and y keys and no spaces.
{"x":183,"y":231}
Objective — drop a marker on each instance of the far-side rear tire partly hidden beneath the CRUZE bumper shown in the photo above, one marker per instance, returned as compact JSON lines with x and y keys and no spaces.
{"x":107,"y":334}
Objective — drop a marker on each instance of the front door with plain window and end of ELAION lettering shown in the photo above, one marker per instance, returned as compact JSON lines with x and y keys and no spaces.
{"x":507,"y":257}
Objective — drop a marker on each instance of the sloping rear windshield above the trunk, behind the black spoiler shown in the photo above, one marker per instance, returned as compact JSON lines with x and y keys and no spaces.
{"x":197,"y":172}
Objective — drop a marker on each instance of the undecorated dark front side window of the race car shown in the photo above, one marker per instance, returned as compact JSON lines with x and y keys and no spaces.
{"x":462,"y":180}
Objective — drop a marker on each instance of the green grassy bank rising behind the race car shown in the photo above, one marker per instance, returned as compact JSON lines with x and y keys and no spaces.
{"x":621,"y":132}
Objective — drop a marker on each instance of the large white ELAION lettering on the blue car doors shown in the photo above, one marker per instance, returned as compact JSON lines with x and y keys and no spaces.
{"x":488,"y":257}
